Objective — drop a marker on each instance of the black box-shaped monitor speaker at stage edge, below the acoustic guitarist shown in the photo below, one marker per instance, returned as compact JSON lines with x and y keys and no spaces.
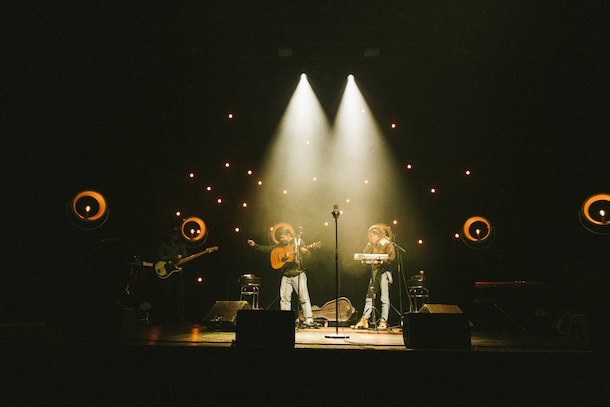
{"x":265,"y":329}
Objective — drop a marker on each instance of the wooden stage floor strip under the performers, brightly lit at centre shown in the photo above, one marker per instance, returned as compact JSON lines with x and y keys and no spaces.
{"x":138,"y":333}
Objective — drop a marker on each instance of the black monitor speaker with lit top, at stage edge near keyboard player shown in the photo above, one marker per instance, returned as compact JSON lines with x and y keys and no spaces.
{"x":437,"y":326}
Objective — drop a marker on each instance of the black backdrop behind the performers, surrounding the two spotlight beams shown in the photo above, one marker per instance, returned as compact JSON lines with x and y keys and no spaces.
{"x":126,"y":99}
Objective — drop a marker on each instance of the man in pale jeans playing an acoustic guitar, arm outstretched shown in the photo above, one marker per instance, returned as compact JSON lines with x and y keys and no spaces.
{"x":287,"y":257}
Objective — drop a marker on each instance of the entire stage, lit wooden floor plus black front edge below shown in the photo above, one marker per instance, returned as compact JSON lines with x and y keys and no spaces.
{"x":169,"y":365}
